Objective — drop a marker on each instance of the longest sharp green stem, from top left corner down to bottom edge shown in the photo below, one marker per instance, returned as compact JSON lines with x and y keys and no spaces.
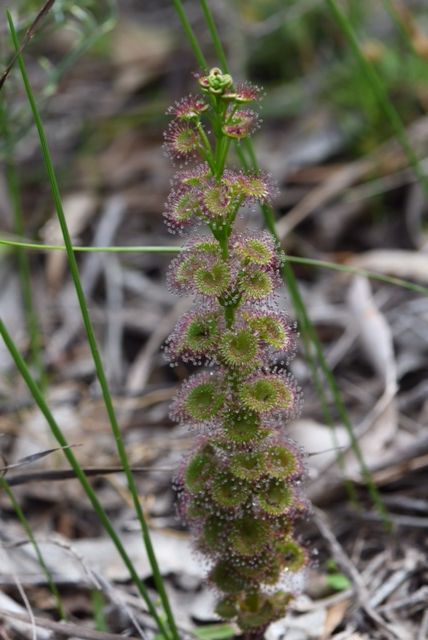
{"x":93,"y":343}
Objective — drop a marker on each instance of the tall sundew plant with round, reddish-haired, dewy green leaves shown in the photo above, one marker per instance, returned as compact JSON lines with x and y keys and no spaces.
{"x":239,"y":488}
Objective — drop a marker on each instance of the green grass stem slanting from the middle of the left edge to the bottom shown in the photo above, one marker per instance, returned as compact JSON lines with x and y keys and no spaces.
{"x":56,"y":430}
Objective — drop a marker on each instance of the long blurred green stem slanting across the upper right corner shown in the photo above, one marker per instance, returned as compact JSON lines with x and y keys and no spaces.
{"x":377,"y":87}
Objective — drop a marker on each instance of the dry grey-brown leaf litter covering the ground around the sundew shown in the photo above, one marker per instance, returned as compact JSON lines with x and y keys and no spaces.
{"x":374,"y":335}
